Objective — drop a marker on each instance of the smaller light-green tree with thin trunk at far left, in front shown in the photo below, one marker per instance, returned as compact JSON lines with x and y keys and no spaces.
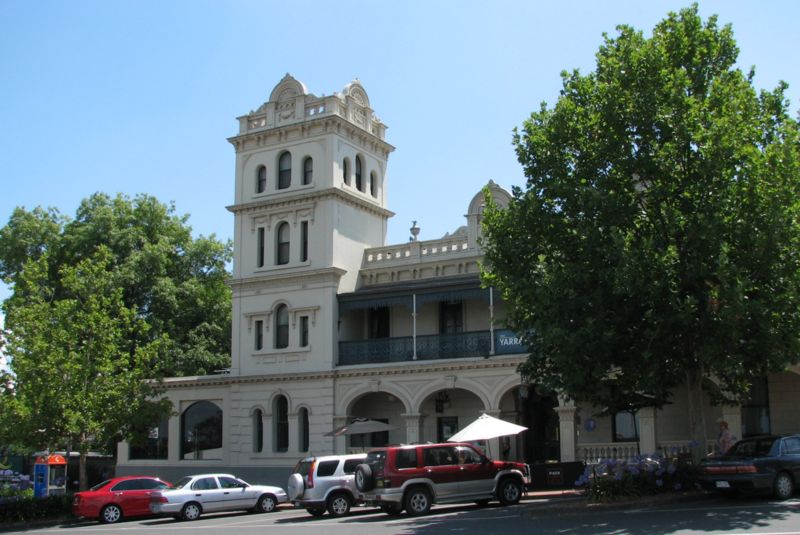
{"x":79,"y":371}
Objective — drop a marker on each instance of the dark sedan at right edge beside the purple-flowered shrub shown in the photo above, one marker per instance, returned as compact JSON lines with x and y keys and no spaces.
{"x":767,"y":463}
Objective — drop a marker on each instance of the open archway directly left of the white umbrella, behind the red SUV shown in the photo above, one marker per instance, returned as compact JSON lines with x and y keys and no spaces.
{"x":447,"y":411}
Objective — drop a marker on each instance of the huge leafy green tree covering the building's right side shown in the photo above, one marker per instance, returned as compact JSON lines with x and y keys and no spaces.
{"x":656,"y":241}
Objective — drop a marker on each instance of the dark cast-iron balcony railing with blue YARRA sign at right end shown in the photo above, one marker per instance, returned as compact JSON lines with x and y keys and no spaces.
{"x":429,"y":347}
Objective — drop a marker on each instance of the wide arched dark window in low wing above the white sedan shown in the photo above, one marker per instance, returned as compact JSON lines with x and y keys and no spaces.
{"x":201,"y":431}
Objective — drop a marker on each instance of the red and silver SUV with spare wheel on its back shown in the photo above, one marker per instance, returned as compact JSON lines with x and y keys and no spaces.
{"x":414,"y":477}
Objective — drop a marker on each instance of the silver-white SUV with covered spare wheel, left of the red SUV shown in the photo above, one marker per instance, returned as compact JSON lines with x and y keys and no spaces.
{"x":325,"y":483}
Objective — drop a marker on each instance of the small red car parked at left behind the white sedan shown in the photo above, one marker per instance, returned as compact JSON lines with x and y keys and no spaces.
{"x":118,"y":498}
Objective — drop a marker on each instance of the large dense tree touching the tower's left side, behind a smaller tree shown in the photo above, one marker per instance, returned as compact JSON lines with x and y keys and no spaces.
{"x":175,"y":283}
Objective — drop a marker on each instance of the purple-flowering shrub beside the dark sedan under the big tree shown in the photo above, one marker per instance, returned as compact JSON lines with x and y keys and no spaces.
{"x":611,"y":479}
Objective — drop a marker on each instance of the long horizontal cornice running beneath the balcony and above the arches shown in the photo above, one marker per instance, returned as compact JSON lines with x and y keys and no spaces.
{"x":411,"y":368}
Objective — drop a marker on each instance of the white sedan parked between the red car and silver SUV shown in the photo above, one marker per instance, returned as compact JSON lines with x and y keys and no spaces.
{"x":211,"y":493}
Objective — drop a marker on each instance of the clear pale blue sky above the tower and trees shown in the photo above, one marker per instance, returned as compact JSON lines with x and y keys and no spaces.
{"x":140,"y":96}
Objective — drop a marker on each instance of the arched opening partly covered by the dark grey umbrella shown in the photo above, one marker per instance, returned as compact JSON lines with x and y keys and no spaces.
{"x":383,"y":407}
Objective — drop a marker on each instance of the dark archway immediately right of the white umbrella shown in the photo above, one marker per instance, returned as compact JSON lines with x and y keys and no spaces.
{"x":526,"y":405}
